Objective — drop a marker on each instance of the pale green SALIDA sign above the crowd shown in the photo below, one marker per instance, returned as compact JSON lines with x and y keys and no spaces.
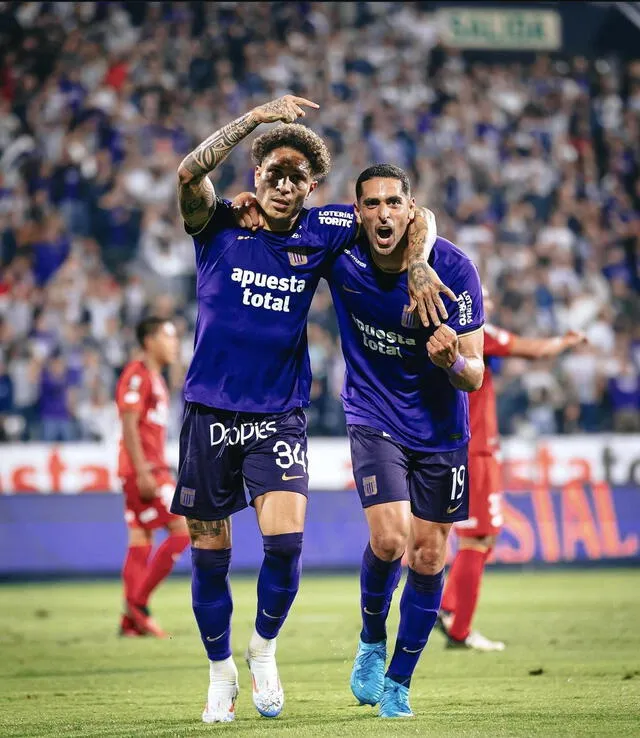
{"x":521,"y":30}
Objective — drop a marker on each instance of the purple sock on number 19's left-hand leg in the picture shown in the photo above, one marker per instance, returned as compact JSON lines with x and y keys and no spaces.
{"x":378,"y":580}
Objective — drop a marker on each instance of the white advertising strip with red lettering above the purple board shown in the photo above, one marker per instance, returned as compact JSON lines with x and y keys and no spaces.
{"x":554,"y":461}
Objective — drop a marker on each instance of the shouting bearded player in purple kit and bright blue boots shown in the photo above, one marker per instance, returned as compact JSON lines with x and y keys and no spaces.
{"x":407,"y":411}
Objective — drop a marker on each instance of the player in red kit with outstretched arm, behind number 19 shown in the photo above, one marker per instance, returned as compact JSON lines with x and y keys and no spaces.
{"x":477,"y":535}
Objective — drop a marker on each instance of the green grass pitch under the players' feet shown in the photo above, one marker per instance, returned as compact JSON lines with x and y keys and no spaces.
{"x":571,"y":668}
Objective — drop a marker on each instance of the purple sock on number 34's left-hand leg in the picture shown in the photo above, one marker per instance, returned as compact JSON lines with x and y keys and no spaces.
{"x":211,"y":600}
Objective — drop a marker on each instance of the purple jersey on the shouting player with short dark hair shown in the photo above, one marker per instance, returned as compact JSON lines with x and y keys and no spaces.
{"x":390,"y":382}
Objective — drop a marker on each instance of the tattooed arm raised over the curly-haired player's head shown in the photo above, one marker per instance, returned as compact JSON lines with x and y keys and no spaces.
{"x":195,"y":190}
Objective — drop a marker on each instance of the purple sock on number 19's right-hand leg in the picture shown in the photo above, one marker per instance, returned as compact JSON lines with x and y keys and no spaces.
{"x":418,"y":611}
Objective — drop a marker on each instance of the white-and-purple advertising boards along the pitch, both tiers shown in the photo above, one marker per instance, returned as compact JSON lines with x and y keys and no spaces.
{"x":567,"y":499}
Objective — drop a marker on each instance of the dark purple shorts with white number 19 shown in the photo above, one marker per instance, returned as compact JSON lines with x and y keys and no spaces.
{"x":436,"y":484}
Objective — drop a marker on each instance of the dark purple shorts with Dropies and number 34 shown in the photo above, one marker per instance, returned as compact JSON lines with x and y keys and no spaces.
{"x":226,"y":457}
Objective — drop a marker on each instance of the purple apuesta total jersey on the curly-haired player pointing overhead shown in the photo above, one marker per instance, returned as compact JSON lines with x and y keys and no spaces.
{"x":254,"y":291}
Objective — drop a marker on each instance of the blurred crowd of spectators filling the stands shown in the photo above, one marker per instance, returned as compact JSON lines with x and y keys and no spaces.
{"x":532,"y":169}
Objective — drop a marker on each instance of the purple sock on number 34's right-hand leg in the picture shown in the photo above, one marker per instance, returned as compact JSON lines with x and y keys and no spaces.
{"x":278,"y":581}
